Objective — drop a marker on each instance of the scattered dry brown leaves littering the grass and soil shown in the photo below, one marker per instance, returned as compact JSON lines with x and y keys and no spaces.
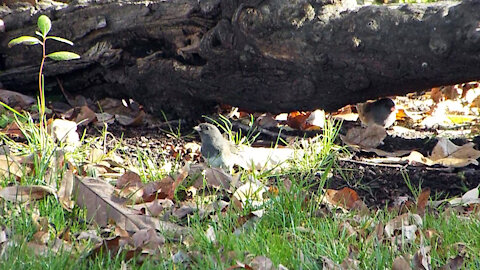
{"x":140,"y":212}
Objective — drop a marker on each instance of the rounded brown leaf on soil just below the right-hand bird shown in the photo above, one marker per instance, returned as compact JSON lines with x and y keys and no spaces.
{"x":365,"y":138}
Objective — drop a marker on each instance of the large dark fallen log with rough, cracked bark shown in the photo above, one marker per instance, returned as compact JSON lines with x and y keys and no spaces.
{"x":271,"y":55}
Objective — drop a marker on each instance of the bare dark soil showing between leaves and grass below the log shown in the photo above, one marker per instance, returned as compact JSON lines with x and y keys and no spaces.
{"x":379,"y":185}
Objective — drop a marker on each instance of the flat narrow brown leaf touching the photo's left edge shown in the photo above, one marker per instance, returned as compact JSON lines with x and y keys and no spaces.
{"x":21,"y":194}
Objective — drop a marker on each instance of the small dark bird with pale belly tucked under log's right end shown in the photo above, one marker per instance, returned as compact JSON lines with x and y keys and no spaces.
{"x":381,"y":112}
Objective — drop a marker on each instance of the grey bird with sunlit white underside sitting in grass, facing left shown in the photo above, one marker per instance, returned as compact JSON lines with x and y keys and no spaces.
{"x":220,"y":152}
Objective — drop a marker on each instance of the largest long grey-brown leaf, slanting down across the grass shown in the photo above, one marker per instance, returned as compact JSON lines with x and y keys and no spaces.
{"x":96,"y":196}
